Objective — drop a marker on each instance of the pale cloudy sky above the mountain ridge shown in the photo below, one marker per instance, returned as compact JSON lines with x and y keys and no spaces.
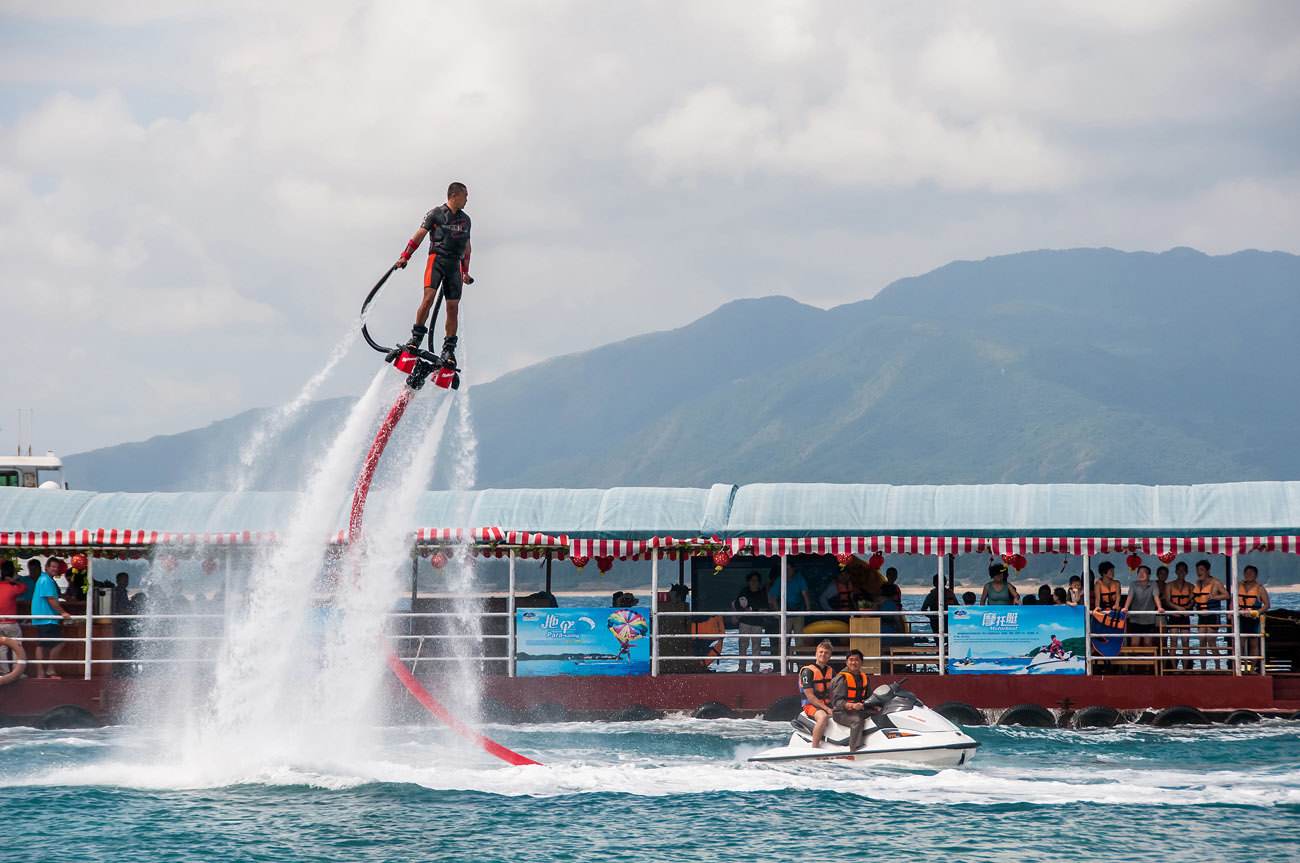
{"x":197,"y":196}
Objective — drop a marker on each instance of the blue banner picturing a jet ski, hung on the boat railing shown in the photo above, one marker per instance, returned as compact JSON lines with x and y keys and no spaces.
{"x":1016,"y":640}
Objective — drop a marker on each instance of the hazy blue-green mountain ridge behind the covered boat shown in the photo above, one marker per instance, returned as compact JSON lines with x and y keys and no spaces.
{"x":1089,"y":366}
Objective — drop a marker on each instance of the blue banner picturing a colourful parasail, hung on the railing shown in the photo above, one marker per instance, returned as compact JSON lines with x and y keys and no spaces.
{"x":582,"y":641}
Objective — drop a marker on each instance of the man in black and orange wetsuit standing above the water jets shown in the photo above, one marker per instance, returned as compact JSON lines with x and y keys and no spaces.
{"x":448,"y":227}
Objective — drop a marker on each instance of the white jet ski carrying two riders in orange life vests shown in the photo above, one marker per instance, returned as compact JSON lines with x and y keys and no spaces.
{"x":902,"y":730}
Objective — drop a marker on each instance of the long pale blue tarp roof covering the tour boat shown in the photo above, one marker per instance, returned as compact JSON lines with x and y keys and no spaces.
{"x":725,"y":511}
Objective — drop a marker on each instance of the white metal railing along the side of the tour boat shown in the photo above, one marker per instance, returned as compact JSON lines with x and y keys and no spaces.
{"x":1175,"y":648}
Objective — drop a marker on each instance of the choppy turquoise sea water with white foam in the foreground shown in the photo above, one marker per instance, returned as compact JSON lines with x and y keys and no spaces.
{"x":674,"y":790}
